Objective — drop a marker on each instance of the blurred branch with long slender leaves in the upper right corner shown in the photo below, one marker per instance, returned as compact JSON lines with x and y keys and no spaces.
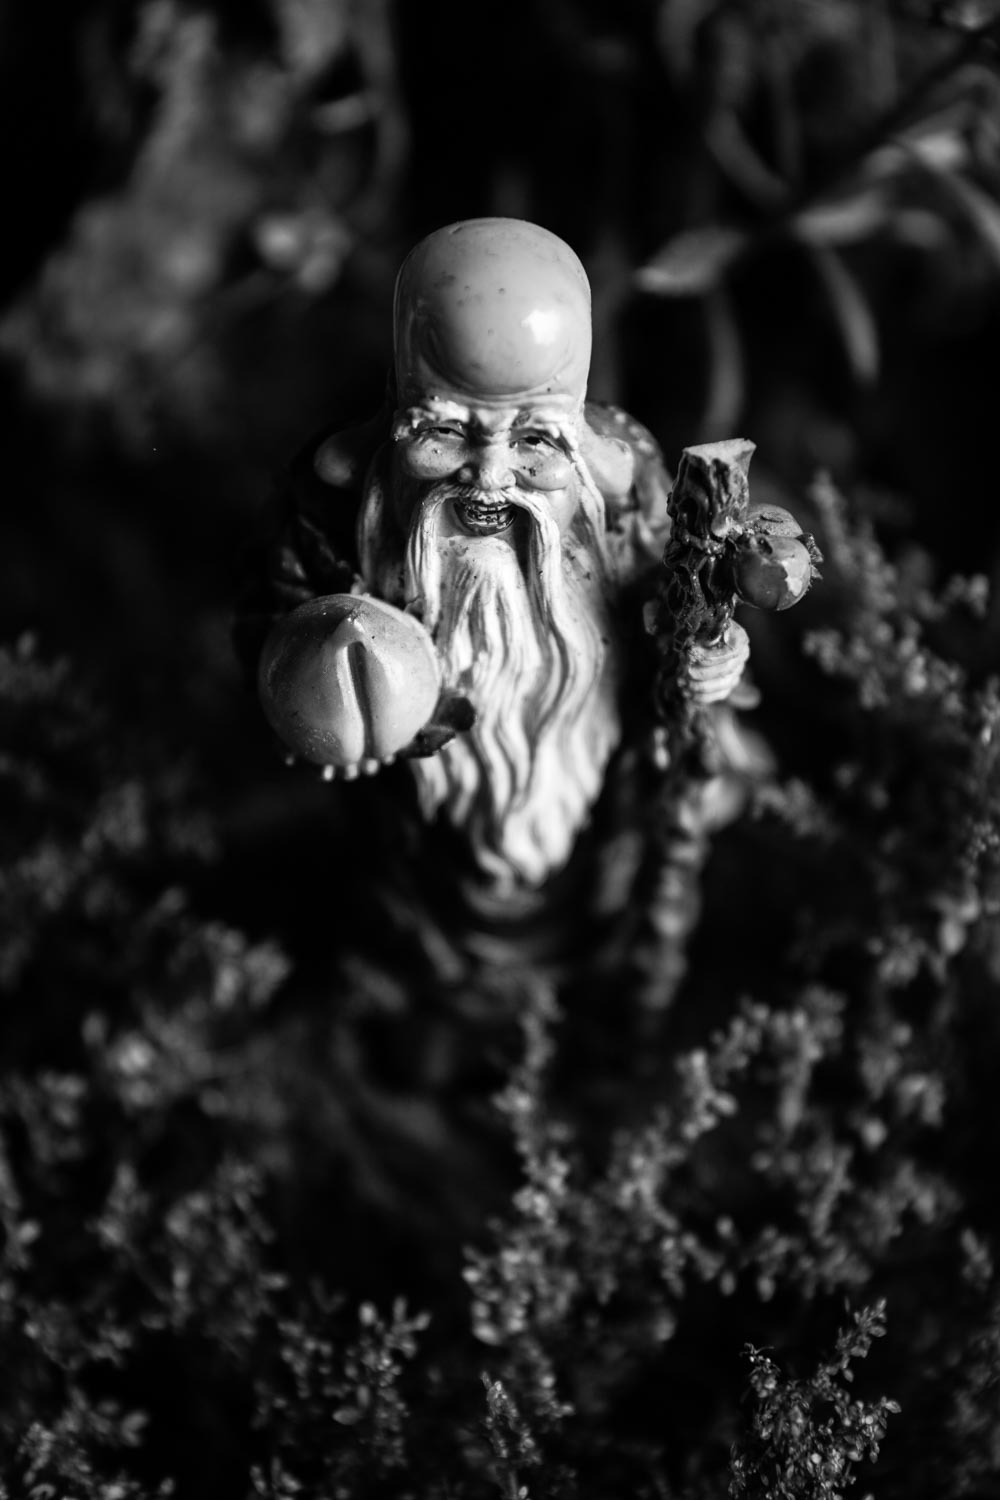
{"x":830,"y":136}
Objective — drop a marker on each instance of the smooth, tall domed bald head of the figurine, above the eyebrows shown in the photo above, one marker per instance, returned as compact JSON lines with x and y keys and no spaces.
{"x":493,"y":311}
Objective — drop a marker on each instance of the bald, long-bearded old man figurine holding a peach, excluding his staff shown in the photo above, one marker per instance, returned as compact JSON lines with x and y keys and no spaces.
{"x":451,"y":611}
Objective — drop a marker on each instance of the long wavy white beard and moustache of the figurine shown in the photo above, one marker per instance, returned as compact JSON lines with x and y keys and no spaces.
{"x":530,"y":650}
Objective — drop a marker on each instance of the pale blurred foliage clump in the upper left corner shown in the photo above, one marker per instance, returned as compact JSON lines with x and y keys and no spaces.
{"x":251,"y":175}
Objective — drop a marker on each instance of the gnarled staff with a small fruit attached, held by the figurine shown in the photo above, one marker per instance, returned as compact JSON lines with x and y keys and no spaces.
{"x":722,"y":551}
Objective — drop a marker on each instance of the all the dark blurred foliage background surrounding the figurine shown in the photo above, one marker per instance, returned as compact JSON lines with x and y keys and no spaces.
{"x":268,"y":1225}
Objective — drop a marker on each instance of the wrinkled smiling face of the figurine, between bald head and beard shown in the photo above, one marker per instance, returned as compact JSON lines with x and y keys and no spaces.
{"x":485,"y":455}
